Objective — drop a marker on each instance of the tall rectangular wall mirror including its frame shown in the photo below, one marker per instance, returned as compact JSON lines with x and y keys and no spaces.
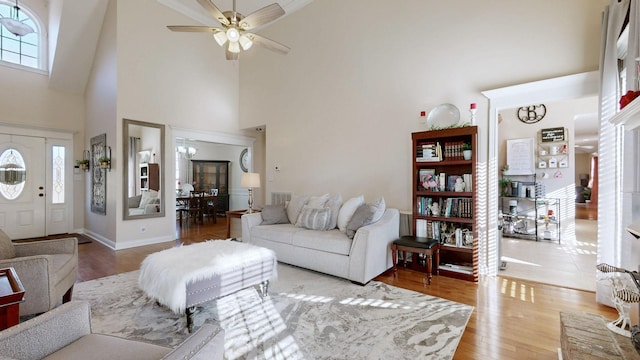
{"x":143,"y":180}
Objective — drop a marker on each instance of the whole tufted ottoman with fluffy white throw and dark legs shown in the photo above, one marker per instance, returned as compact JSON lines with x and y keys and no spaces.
{"x":183,"y":277}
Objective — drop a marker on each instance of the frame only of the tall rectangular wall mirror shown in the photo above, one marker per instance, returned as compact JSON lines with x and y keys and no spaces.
{"x":125,"y":170}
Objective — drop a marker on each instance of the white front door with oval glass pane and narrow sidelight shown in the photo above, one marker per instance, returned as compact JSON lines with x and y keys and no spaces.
{"x":36,"y":182}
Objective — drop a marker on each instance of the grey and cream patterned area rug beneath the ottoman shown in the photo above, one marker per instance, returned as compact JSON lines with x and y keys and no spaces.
{"x":307,"y":315}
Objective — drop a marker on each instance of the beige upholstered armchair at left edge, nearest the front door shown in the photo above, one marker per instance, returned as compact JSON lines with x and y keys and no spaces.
{"x":47,"y":270}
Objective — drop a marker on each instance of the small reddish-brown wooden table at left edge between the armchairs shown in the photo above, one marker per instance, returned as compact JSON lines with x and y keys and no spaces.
{"x":11,"y":295}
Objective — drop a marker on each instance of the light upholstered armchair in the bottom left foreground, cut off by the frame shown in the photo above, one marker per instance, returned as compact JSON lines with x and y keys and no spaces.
{"x":65,"y":333}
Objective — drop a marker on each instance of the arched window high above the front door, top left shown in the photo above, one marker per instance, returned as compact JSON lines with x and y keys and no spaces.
{"x":23,"y":50}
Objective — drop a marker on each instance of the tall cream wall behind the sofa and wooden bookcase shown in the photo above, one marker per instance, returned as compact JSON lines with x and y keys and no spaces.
{"x":340,"y":107}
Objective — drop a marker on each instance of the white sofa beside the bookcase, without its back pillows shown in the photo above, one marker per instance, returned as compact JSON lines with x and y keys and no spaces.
{"x":360,"y":259}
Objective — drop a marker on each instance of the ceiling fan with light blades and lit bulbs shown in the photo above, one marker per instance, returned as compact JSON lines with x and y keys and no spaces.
{"x":234,"y":32}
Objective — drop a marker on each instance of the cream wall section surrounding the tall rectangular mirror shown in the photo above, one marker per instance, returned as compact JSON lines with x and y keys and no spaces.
{"x":176,"y":79}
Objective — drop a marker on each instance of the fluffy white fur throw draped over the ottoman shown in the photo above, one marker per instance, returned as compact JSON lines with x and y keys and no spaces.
{"x":164,"y":275}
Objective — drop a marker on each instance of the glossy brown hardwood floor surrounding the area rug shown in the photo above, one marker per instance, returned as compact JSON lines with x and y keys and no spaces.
{"x":512,"y":319}
